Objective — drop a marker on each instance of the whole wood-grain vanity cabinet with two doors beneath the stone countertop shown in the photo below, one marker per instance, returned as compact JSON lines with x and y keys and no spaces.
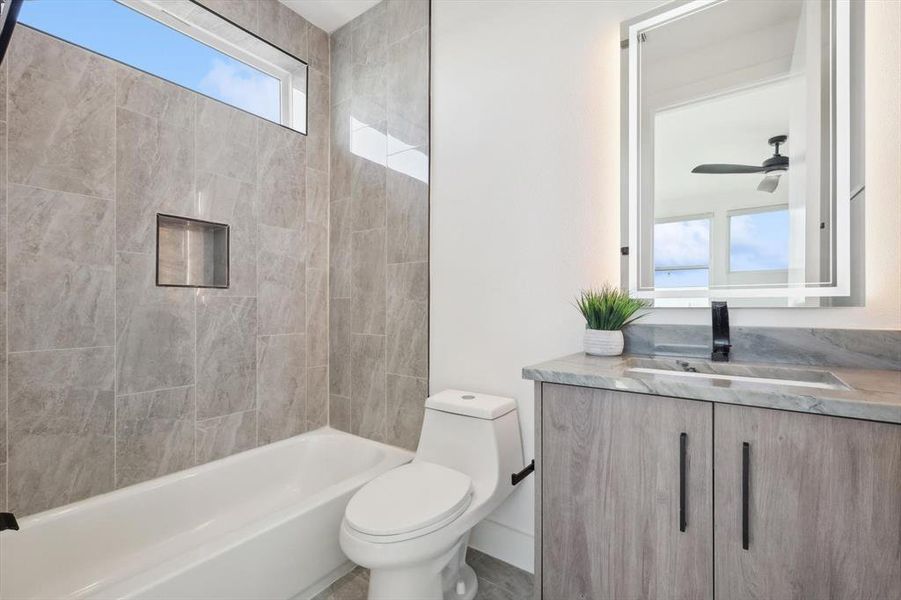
{"x":776,"y":504}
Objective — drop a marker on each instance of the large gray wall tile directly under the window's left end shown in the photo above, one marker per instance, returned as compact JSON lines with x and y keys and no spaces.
{"x":61,"y":117}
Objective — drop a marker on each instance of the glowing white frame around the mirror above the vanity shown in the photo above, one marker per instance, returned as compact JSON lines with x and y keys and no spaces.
{"x":630,"y":168}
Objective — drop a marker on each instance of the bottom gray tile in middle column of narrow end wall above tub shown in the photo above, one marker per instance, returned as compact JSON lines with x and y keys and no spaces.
{"x":367,"y":407}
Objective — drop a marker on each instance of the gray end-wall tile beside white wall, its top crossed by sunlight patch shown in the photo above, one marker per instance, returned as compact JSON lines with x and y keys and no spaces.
{"x":408,"y":211}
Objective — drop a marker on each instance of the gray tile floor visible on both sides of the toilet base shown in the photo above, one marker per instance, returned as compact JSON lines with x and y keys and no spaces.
{"x":497,"y":581}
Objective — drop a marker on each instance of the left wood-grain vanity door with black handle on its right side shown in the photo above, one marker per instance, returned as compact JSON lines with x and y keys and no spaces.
{"x":610,"y":492}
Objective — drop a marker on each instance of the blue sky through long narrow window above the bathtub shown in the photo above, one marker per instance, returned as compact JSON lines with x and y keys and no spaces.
{"x":111,"y":29}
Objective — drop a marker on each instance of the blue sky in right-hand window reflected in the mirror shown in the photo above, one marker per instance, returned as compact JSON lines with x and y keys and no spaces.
{"x":759,"y":241}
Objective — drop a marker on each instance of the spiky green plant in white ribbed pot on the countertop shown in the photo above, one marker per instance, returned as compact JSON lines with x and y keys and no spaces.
{"x":606,"y":312}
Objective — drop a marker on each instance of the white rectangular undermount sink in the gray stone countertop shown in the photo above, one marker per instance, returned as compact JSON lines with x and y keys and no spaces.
{"x":700,"y":369}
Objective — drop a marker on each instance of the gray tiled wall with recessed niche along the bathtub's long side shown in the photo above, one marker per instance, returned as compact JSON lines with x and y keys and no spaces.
{"x":112,"y":380}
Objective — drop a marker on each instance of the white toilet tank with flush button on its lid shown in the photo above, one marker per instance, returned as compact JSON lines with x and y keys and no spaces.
{"x":474,"y":433}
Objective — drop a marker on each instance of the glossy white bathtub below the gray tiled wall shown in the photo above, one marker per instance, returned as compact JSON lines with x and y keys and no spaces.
{"x":257,"y":525}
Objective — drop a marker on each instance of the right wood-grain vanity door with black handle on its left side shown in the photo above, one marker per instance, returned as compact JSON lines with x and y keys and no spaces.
{"x":823,"y":506}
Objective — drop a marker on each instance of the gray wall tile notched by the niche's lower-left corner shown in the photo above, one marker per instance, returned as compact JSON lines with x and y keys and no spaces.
{"x":154,"y":329}
